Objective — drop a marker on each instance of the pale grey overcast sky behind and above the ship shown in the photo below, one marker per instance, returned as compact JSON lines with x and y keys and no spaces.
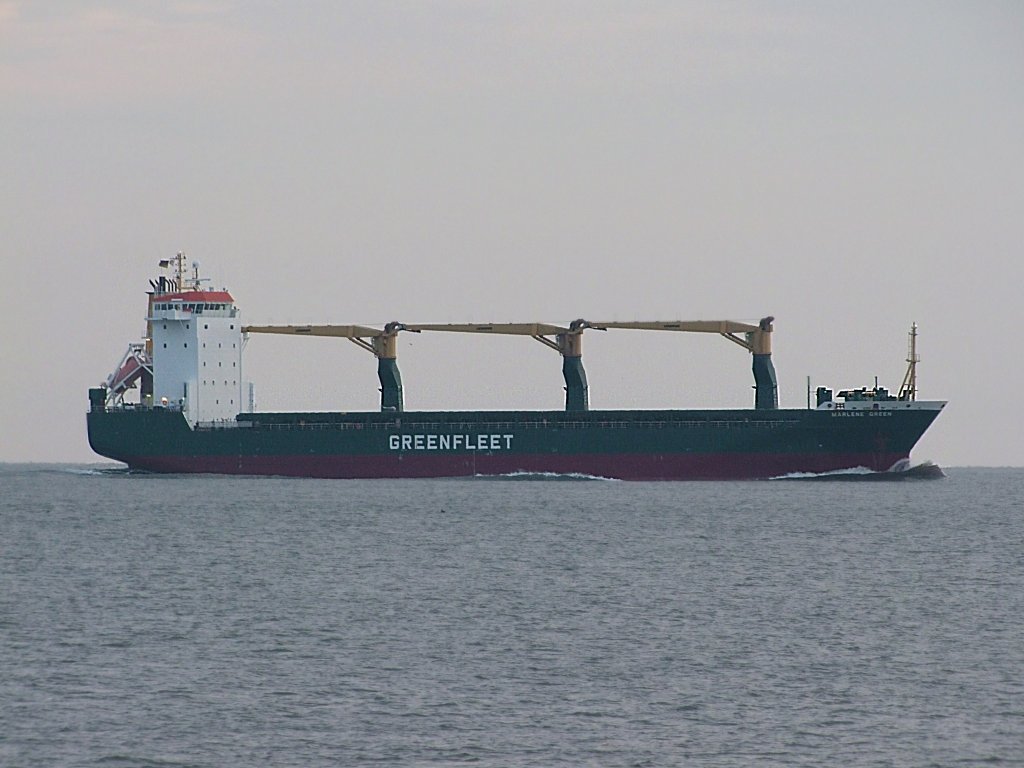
{"x":849,"y":168}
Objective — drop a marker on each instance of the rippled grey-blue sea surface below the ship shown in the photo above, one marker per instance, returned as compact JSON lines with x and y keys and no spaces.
{"x":183,"y":621}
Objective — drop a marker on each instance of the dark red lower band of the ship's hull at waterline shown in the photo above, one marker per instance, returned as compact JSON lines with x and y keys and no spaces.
{"x":618,"y":466}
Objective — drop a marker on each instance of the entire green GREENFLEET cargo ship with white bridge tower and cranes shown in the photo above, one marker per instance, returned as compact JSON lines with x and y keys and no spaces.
{"x":178,"y":402}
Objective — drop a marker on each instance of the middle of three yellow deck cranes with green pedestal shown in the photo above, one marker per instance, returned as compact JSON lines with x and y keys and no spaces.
{"x":566,"y":342}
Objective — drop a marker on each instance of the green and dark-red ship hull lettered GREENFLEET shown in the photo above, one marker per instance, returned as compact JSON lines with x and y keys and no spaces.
{"x":624,"y":445}
